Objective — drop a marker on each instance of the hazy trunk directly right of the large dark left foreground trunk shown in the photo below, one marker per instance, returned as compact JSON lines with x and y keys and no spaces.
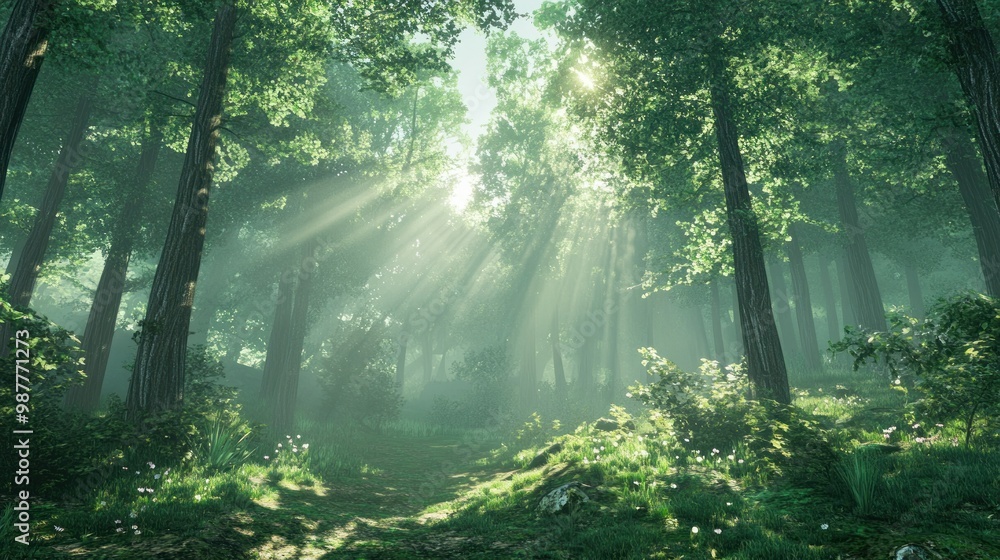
{"x":288,"y":386}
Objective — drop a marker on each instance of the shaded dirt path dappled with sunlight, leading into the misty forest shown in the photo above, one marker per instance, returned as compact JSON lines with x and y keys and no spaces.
{"x":382,"y":515}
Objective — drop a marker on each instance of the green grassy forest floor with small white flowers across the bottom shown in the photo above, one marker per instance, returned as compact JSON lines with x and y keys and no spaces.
{"x":410,"y":490}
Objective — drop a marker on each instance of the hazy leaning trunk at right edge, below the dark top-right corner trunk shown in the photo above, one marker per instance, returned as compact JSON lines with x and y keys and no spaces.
{"x":960,"y":158}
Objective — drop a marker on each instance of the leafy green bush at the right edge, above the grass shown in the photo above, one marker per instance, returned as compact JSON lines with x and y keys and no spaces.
{"x":952,"y":359}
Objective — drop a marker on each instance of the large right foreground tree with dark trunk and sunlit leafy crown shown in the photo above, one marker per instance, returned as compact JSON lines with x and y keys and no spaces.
{"x":668,"y":58}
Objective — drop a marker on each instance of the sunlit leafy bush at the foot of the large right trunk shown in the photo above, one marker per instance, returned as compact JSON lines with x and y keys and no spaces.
{"x":709,"y":409}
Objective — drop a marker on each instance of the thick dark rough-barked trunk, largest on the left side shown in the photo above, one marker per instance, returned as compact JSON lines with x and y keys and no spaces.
{"x":158,"y":375}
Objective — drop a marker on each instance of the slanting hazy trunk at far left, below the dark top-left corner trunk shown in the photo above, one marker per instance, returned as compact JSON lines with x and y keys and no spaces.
{"x":22,"y":284}
